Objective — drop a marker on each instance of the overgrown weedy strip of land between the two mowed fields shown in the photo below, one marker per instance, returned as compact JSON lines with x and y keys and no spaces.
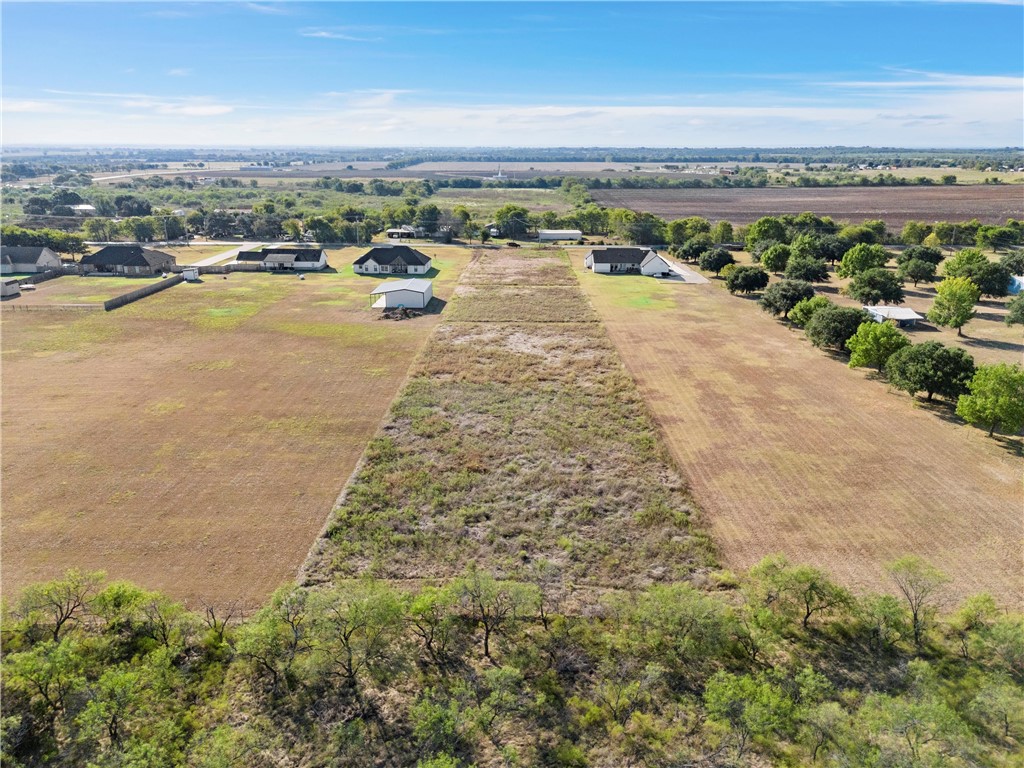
{"x":517,"y":445}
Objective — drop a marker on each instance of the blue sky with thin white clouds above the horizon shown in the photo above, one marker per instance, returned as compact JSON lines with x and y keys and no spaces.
{"x":383,"y":74}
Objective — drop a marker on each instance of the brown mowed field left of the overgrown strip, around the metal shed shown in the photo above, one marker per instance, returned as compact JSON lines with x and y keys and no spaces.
{"x":195,"y":442}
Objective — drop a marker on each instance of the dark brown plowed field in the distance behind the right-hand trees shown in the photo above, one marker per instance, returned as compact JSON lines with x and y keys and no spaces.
{"x":895,"y":206}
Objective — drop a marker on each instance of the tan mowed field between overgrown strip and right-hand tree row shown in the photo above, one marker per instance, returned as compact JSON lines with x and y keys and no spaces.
{"x":789,"y":451}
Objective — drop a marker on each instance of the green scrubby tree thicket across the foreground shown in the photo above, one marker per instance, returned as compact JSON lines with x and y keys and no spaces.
{"x":784,"y":663}
